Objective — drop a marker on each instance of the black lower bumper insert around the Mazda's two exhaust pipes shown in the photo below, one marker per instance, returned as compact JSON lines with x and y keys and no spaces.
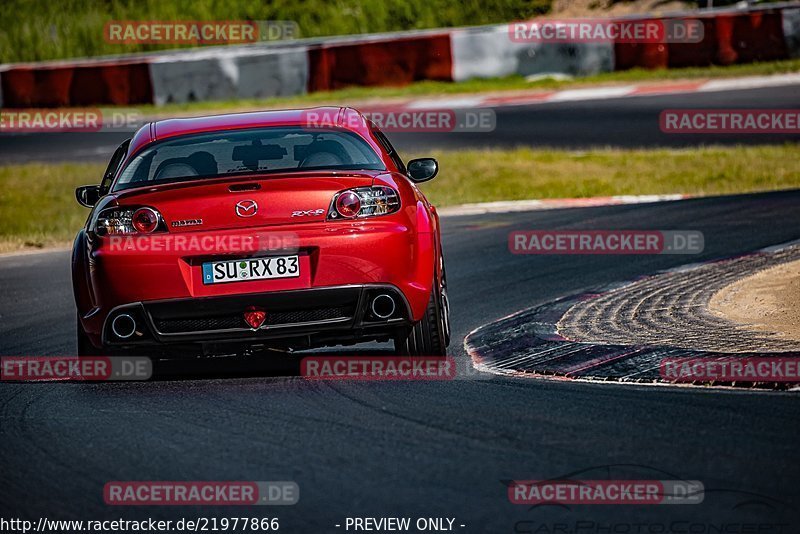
{"x":311,"y":316}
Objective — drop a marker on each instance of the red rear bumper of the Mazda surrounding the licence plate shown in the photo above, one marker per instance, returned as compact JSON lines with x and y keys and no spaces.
{"x":388,"y":252}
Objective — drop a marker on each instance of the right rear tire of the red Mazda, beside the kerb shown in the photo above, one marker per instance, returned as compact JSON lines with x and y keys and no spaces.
{"x":431,"y":335}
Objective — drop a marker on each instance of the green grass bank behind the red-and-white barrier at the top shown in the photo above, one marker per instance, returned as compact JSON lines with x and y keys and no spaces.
{"x":35,"y":30}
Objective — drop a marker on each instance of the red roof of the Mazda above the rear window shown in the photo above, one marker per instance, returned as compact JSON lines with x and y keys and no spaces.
{"x":330,"y":116}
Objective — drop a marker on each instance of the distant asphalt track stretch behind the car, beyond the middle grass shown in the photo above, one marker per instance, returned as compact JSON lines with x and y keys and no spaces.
{"x":622,"y":122}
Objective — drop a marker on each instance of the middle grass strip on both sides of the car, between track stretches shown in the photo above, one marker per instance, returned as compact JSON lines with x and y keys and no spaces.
{"x":38,"y":209}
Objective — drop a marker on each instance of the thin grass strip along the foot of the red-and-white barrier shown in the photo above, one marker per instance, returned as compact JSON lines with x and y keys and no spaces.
{"x":356,"y":95}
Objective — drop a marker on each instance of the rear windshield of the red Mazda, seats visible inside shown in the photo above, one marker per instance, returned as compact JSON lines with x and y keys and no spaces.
{"x":252,"y":151}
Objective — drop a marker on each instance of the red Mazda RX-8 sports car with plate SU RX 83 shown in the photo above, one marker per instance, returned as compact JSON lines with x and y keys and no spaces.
{"x":226,"y":234}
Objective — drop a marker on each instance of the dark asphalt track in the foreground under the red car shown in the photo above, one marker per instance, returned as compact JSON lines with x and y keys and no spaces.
{"x":433,"y":449}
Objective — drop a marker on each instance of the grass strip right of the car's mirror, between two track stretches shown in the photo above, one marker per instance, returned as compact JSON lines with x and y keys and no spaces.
{"x":524,"y":173}
